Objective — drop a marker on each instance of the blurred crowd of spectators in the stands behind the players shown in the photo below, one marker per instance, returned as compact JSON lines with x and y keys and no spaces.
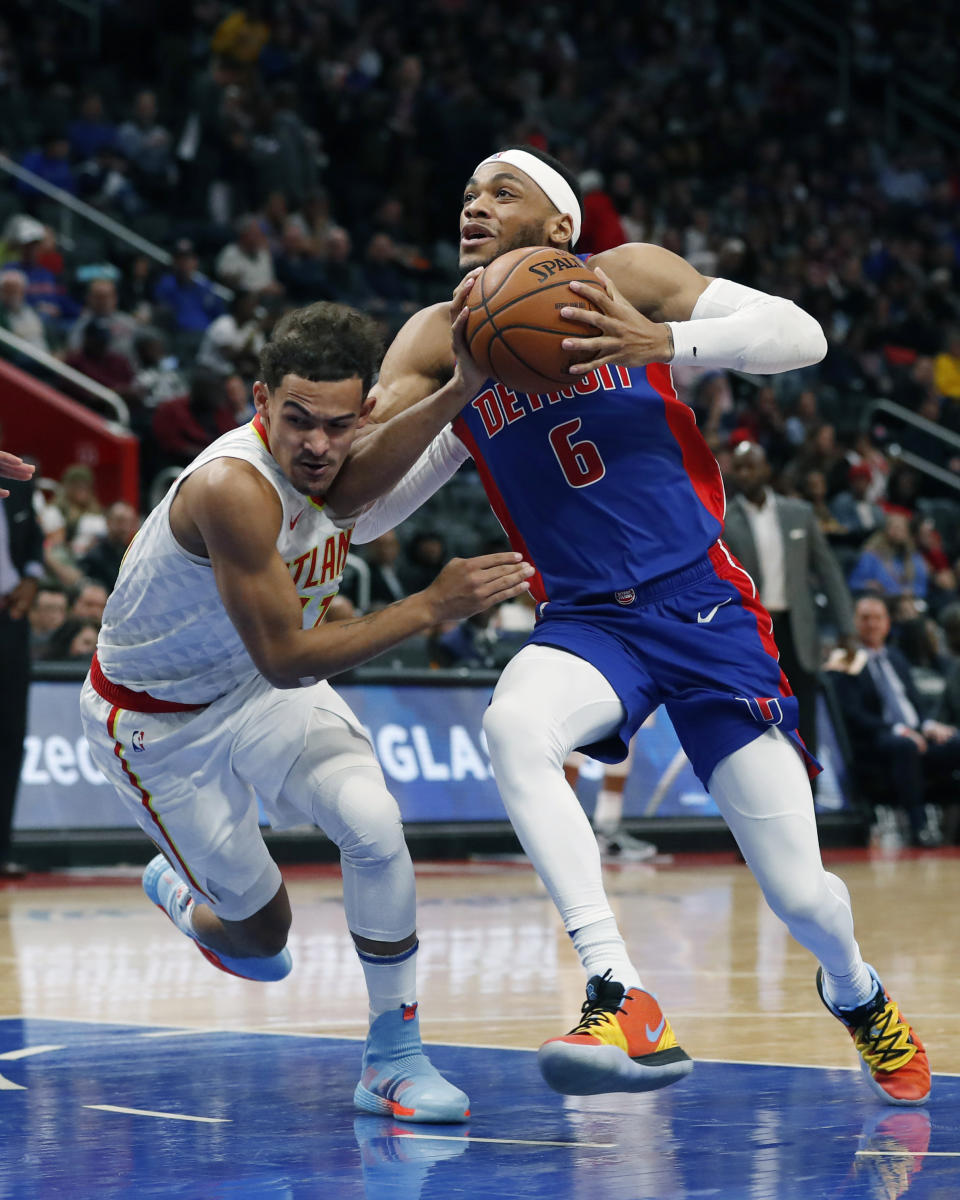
{"x":277,"y":154}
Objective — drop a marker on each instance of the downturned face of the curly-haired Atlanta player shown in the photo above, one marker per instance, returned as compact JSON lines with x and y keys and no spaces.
{"x":311,"y":427}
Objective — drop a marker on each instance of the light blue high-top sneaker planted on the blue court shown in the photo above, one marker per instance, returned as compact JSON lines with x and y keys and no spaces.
{"x":399,"y":1081}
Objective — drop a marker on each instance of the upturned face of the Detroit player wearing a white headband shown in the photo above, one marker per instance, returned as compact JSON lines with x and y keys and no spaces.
{"x":503,"y":209}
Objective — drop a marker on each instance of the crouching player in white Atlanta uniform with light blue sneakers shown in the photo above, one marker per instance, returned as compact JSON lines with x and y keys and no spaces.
{"x":208,"y":686}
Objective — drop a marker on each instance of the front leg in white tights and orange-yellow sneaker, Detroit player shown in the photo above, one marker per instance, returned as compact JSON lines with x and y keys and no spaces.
{"x":548,"y":703}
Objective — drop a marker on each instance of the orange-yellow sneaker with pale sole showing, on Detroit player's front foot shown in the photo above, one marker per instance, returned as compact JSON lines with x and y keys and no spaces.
{"x":623,"y":1043}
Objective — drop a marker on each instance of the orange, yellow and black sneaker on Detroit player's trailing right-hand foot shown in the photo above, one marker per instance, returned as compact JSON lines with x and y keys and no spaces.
{"x":892,"y":1057}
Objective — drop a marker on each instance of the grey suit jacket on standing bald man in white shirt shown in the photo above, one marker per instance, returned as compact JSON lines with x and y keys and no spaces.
{"x":807,"y":557}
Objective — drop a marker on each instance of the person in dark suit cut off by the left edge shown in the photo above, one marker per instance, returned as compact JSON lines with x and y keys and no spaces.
{"x":21,"y":569}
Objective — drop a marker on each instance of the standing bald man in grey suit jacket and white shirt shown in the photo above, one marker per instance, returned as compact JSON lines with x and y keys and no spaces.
{"x":779,"y":542}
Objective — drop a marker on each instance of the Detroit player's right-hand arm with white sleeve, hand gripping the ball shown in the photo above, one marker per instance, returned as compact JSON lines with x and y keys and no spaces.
{"x":656,"y":308}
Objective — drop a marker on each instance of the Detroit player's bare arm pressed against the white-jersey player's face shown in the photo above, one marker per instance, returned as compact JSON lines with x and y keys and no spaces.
{"x":383,"y":457}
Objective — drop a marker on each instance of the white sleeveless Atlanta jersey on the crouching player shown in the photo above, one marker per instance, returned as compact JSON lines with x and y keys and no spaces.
{"x":165,"y":628}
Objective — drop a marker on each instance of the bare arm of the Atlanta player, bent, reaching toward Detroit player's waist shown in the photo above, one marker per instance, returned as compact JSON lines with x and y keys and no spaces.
{"x":238,"y":515}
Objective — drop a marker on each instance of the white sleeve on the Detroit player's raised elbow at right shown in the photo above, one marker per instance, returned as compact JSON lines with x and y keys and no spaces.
{"x":748,"y":331}
